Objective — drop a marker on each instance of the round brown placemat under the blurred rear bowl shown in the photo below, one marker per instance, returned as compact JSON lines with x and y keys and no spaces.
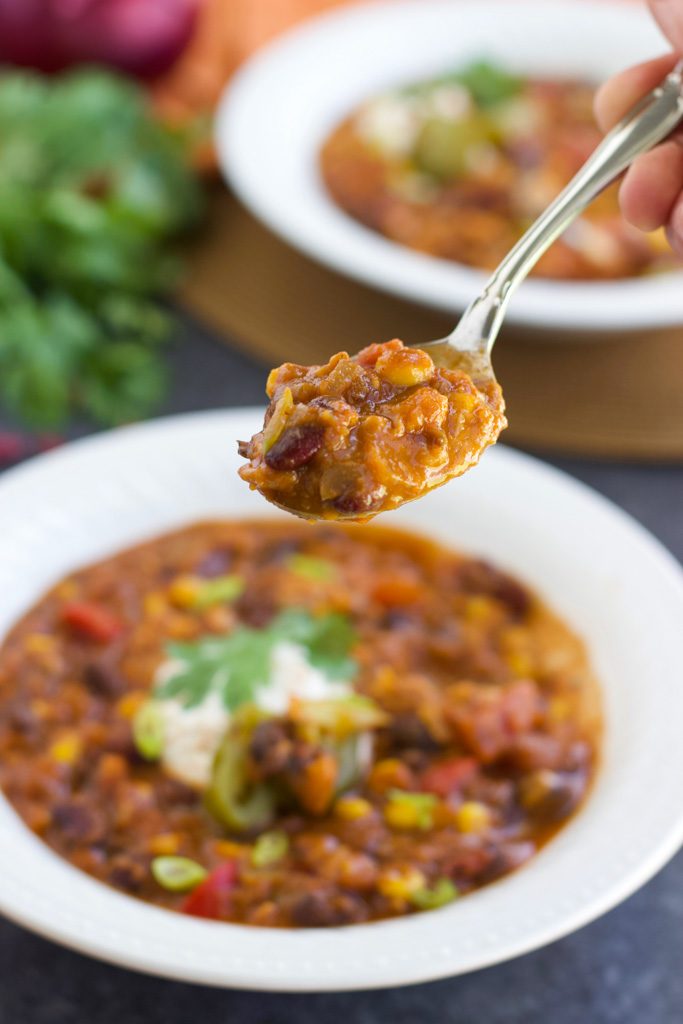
{"x":616,"y":398}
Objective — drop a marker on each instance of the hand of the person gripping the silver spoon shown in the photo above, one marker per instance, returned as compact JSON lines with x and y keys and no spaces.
{"x":652,"y":194}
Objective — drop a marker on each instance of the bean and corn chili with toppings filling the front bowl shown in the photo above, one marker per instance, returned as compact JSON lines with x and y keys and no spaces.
{"x":285,"y":727}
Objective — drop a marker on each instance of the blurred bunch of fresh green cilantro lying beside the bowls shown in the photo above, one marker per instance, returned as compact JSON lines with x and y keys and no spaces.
{"x":93,"y":190}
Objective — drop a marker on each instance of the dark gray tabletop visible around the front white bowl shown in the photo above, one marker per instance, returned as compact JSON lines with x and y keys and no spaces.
{"x":624,"y":969}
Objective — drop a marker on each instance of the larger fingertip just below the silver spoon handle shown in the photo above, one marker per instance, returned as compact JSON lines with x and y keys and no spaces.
{"x":653,"y":186}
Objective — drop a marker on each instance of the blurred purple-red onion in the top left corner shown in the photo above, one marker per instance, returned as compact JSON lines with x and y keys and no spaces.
{"x":142,"y":37}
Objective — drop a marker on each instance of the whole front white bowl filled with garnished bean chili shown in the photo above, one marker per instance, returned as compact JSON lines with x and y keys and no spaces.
{"x":103,"y":876}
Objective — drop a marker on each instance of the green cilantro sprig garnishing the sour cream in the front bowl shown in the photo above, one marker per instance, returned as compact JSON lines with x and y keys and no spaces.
{"x":235,"y":667}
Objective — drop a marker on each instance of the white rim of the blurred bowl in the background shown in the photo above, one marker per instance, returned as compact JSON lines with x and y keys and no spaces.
{"x":285,"y":102}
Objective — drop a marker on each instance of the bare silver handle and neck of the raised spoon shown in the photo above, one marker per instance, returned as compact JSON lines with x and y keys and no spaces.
{"x":468,"y":348}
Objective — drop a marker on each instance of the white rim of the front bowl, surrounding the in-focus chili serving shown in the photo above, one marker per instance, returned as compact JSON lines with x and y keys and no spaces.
{"x":596,"y":567}
